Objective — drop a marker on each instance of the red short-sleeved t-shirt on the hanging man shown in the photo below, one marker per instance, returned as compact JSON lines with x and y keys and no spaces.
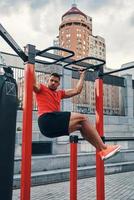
{"x":48,"y":100}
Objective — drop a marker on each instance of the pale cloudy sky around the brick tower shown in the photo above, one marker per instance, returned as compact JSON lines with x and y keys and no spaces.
{"x":36,"y":22}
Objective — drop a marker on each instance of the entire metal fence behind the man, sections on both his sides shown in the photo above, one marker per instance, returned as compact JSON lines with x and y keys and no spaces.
{"x":114,"y":93}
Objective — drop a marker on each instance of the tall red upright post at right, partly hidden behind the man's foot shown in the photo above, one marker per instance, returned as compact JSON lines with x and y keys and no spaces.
{"x":100,"y":188}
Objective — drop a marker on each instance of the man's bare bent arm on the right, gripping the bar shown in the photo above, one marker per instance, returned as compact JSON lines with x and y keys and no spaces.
{"x":76,"y":90}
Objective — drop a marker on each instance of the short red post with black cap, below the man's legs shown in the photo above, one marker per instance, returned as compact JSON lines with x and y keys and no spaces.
{"x":73,"y":167}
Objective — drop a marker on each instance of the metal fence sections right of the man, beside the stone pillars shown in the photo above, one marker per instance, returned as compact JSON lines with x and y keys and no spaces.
{"x":113,"y":98}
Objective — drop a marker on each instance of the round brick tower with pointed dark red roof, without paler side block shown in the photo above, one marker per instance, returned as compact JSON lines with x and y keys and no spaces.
{"x":74,"y":32}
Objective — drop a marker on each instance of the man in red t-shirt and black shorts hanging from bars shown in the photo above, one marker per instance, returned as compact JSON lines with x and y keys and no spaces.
{"x":55,"y":123}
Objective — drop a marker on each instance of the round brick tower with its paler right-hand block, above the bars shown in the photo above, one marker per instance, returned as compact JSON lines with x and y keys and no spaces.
{"x":75,"y":33}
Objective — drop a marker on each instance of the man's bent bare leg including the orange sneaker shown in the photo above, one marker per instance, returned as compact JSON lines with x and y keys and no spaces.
{"x":81,"y":122}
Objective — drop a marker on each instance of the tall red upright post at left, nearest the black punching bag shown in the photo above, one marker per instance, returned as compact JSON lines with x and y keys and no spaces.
{"x":27,"y":133}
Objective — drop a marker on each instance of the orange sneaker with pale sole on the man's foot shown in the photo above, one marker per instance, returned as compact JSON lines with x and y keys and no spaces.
{"x":109,"y":151}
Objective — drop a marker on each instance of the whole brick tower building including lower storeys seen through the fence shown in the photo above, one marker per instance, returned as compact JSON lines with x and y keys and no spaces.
{"x":75,"y":33}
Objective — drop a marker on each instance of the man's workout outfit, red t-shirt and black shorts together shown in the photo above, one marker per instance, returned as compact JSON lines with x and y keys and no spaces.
{"x":51,"y":121}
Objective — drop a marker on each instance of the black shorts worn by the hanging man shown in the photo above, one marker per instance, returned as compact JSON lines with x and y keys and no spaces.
{"x":54,"y":124}
